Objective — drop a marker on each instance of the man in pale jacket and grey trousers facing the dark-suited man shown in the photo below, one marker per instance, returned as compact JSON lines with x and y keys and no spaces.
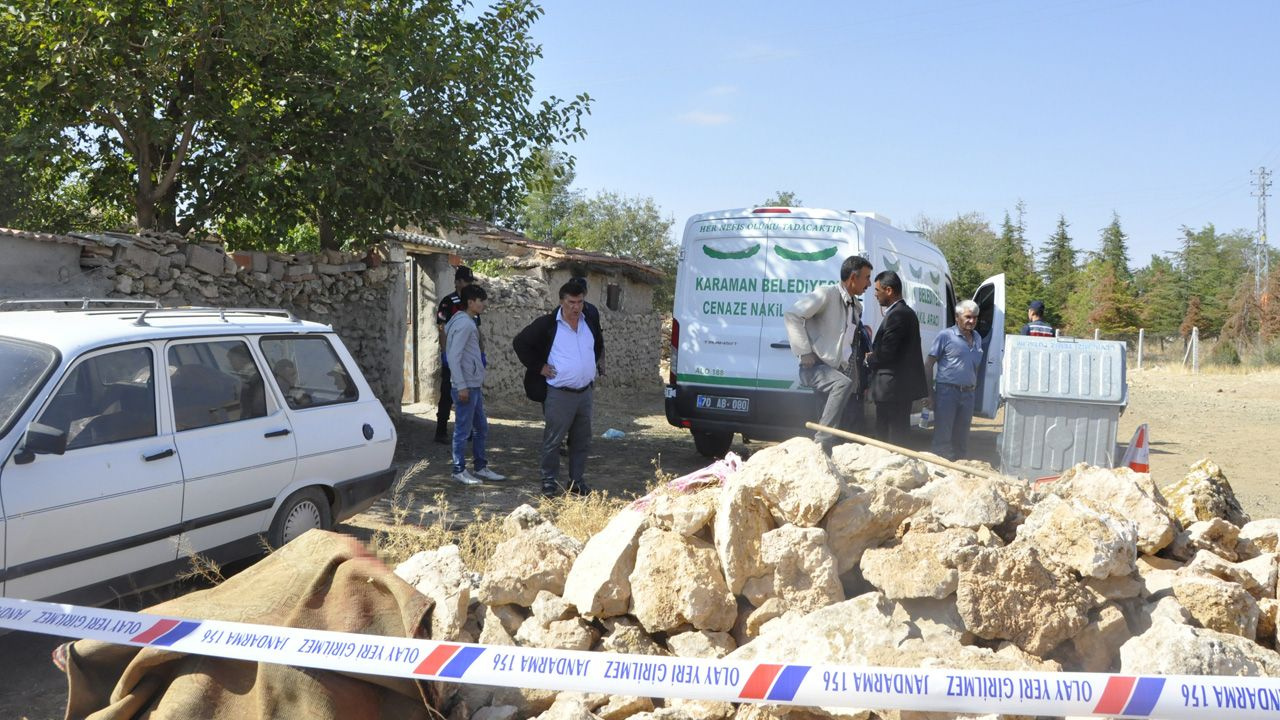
{"x":825,"y":330}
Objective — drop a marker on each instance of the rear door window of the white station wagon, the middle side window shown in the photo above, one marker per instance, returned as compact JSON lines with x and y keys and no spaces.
{"x":214,"y":382}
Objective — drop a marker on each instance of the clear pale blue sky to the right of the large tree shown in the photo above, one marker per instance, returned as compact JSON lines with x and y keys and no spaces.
{"x":1159,"y":111}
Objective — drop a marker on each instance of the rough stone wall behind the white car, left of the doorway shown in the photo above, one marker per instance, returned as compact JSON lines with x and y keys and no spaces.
{"x":360,"y":297}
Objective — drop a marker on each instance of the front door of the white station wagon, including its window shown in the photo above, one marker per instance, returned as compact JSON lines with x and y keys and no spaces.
{"x":111,"y":504}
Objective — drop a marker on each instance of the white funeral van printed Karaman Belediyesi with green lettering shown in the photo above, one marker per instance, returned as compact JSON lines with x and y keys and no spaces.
{"x":732,"y":366}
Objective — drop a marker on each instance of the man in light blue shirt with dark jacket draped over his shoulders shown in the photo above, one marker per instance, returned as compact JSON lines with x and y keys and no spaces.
{"x":563,"y":353}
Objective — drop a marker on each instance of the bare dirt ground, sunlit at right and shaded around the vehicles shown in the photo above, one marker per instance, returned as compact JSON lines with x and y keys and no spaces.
{"x":1231,"y":418}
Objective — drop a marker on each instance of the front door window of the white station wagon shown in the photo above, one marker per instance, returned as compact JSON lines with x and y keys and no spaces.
{"x":108,"y":398}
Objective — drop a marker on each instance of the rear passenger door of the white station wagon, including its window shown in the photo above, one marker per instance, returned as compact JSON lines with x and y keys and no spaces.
{"x":234,"y":439}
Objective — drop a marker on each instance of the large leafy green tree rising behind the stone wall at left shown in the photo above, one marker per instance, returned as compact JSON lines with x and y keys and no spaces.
{"x":345,"y":116}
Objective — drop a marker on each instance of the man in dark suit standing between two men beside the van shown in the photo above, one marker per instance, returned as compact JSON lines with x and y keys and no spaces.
{"x":897,"y":362}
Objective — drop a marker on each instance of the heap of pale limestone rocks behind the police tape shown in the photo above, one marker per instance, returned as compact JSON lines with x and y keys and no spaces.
{"x":874,"y":559}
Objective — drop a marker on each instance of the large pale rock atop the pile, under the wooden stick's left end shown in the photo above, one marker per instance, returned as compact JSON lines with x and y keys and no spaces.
{"x":797,"y":481}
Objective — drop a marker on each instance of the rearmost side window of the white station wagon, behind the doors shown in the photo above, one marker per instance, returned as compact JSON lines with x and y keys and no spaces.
{"x":309,"y":372}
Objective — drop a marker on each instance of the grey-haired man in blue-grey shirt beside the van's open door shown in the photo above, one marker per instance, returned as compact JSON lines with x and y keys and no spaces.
{"x":957,"y":359}
